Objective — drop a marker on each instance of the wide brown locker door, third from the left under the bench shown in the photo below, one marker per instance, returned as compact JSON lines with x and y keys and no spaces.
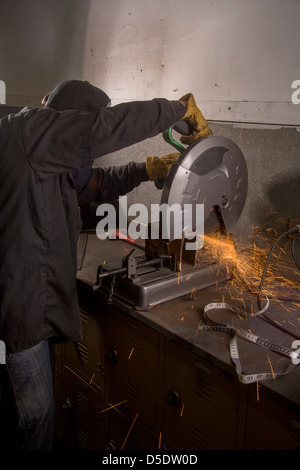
{"x":201,"y":403}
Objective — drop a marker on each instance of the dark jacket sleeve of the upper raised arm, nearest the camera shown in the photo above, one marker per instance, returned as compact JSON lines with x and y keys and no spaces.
{"x":56,"y":142}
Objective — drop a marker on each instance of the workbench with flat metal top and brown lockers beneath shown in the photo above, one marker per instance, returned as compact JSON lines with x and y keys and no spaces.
{"x":154,"y":373}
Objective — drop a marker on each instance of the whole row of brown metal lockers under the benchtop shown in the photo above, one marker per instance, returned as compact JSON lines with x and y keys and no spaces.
{"x":126,"y":385}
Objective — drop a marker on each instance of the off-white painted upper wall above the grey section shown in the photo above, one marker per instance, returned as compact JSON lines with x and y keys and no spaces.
{"x":238,"y":57}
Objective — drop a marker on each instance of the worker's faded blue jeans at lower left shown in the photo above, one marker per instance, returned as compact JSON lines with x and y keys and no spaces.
{"x":31,"y":398}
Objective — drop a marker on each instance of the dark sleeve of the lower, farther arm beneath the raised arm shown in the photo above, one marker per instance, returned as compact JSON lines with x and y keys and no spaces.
{"x":107,"y":184}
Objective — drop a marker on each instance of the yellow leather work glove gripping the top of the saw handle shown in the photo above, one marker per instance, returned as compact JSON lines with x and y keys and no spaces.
{"x":196,"y":121}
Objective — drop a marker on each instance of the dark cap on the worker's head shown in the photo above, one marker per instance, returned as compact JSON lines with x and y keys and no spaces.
{"x":76,"y":94}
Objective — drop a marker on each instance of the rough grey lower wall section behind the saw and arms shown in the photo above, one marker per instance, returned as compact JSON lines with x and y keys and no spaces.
{"x":273,"y":159}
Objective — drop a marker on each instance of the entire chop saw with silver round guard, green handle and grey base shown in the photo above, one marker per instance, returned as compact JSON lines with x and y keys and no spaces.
{"x":212,"y":172}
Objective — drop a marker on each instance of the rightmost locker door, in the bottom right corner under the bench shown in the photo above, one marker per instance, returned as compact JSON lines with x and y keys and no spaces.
{"x":270,"y":425}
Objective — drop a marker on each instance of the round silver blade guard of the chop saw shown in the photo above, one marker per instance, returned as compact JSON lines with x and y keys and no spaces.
{"x":212,"y":172}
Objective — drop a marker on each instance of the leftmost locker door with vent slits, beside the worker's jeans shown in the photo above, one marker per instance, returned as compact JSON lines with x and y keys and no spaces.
{"x":80,"y":386}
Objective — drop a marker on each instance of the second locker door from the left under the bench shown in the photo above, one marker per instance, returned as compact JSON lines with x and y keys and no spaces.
{"x":134,"y":378}
